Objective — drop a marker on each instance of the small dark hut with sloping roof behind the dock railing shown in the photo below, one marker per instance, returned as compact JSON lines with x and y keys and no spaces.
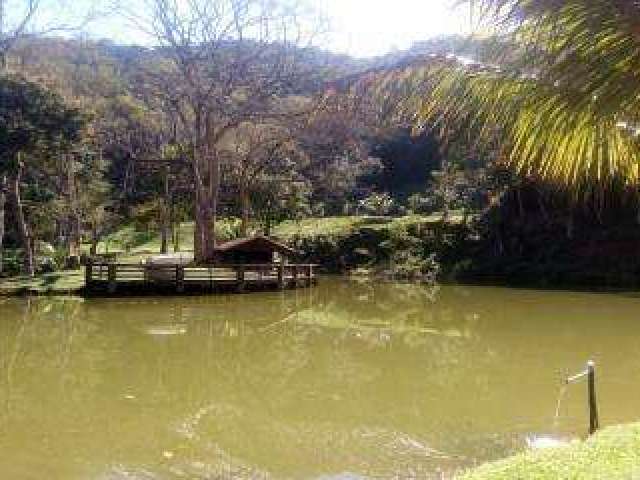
{"x":254,"y":250}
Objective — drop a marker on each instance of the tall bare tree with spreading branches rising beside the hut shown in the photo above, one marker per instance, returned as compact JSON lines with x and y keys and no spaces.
{"x":228,"y":62}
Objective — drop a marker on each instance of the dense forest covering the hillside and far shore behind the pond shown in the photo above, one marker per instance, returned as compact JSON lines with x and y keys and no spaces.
{"x":237,"y":131}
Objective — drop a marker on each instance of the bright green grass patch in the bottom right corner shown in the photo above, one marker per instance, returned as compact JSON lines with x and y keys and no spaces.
{"x":612,"y":454}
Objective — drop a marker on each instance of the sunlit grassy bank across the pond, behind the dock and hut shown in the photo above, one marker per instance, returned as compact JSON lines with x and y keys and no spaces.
{"x":338,"y":243}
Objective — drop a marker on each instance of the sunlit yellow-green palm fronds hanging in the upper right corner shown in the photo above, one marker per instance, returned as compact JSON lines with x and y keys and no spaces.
{"x":564,"y":107}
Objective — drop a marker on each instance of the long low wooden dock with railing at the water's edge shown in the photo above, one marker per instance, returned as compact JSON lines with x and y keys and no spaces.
{"x":112,"y":278}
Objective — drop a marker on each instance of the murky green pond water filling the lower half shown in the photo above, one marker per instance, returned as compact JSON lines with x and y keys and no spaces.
{"x":341,"y":381}
